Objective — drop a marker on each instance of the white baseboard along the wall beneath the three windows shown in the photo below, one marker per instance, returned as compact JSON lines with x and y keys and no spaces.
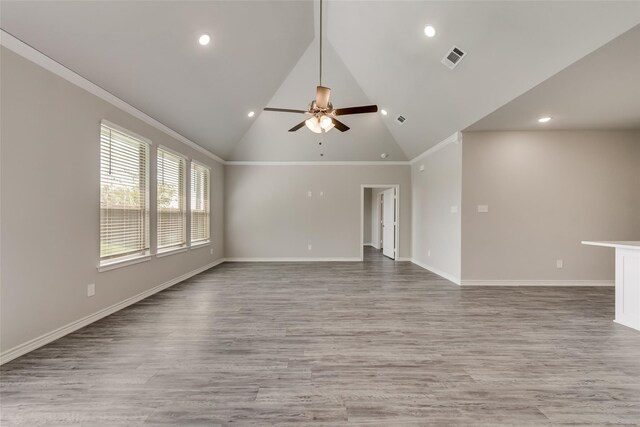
{"x":42,"y":340}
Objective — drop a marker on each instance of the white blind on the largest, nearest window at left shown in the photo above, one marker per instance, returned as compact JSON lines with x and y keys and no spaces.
{"x":124,"y":195}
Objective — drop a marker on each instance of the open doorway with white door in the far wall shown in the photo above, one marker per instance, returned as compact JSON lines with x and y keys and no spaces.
{"x":379,"y":221}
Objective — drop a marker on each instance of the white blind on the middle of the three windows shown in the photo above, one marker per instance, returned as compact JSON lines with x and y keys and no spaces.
{"x":171,"y":200}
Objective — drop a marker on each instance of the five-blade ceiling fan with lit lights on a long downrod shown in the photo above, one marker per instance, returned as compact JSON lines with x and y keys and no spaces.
{"x":323,"y":115}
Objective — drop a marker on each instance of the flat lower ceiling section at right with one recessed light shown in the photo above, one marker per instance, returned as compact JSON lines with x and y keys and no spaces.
{"x":600,"y":91}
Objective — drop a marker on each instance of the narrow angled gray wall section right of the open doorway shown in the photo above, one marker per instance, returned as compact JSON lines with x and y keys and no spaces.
{"x":436,"y":228}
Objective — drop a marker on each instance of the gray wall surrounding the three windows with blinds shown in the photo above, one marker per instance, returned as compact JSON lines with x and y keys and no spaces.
{"x":50,"y":205}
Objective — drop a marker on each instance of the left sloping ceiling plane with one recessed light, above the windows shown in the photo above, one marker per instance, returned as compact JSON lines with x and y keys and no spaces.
{"x":147,"y":54}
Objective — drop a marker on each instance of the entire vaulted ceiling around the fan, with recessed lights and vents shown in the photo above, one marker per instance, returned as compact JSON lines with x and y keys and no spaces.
{"x":264,"y":53}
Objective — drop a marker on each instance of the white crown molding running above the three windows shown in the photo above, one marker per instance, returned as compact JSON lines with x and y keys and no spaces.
{"x":32,"y":54}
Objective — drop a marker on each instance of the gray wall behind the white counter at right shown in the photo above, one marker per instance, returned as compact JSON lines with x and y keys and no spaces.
{"x":546,"y":192}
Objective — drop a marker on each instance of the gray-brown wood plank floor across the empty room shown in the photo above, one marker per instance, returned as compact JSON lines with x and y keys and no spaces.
{"x":375,"y":343}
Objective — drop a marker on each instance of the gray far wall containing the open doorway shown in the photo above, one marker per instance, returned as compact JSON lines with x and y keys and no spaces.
{"x":268,"y":213}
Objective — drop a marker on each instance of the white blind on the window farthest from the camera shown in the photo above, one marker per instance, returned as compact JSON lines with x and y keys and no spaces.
{"x":199,"y":203}
